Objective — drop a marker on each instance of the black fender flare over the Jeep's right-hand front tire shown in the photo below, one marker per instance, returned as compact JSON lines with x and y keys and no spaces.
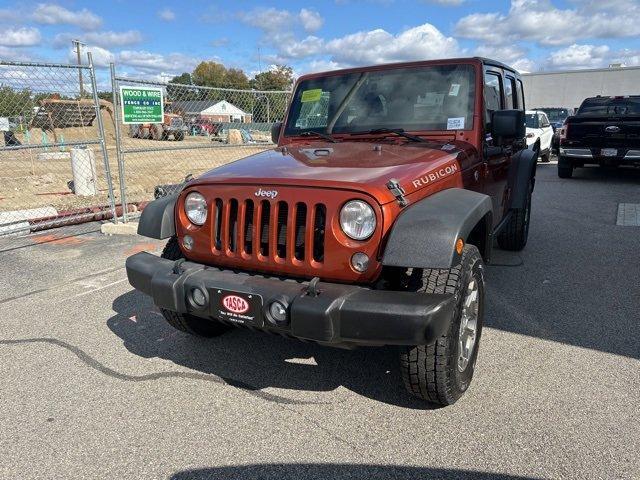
{"x":425,"y":233}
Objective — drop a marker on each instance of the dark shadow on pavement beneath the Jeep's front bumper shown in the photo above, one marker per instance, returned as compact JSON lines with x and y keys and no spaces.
{"x":255,"y":360}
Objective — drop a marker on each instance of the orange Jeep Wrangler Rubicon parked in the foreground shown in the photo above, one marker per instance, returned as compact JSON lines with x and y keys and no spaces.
{"x":369,"y":223}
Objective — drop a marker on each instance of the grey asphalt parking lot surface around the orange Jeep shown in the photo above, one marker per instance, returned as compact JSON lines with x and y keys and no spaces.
{"x":96,"y":385}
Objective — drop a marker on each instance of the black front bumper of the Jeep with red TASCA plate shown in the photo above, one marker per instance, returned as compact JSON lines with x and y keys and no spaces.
{"x":330,"y":313}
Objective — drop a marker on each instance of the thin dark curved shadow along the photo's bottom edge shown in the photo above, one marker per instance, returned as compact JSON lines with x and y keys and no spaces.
{"x":336,"y":471}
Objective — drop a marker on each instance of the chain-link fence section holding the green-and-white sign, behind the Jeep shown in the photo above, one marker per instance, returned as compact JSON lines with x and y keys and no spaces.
{"x":203,"y":127}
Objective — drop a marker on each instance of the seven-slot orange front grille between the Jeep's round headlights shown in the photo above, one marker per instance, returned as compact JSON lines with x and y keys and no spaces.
{"x":269,"y":230}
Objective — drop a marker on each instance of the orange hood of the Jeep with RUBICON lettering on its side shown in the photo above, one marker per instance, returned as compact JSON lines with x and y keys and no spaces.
{"x":362,"y":166}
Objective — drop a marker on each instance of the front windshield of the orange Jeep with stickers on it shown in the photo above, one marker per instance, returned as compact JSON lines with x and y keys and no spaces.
{"x":424,"y":98}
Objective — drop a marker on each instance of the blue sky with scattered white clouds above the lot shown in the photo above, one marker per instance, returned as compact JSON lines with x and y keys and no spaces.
{"x":159,"y":39}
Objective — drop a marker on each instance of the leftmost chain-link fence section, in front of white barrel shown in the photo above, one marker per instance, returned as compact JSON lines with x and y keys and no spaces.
{"x":54,"y":168}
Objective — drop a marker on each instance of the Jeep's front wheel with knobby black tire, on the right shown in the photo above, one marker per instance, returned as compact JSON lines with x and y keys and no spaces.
{"x":440,"y":373}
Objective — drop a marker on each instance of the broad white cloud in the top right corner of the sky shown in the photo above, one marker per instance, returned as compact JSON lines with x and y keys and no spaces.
{"x":541,"y":22}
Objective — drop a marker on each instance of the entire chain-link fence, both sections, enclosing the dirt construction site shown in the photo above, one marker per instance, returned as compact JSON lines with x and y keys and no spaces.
{"x":68,"y":157}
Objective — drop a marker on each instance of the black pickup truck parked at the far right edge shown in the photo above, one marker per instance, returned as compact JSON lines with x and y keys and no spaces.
{"x":605,"y":131}
